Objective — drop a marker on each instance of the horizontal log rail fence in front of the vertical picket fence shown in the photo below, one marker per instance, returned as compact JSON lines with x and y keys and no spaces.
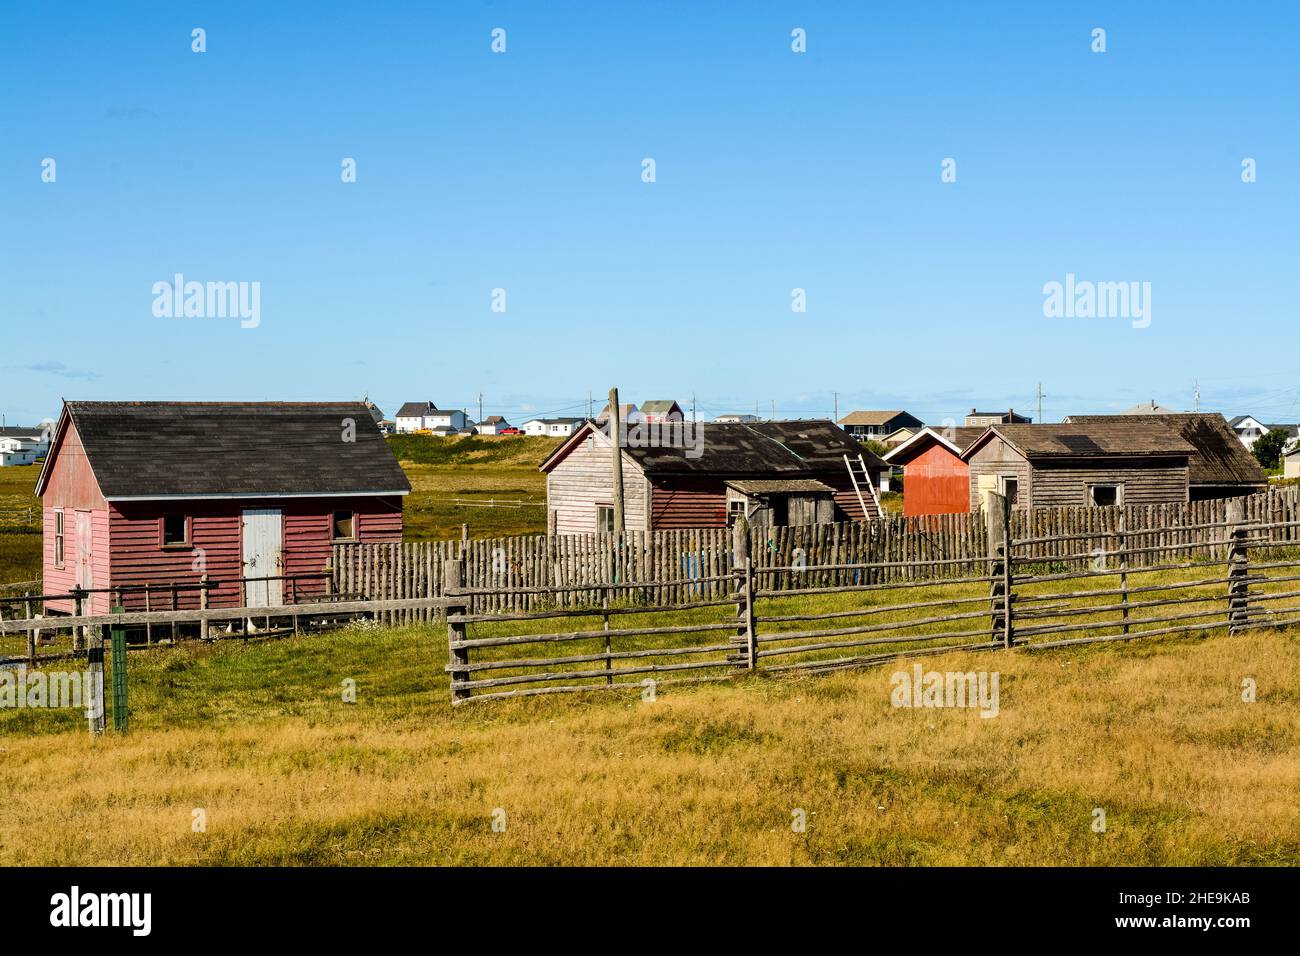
{"x":1134,"y":585}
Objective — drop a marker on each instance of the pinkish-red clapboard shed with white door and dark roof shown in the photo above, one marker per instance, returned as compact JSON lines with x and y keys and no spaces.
{"x":168,"y":492}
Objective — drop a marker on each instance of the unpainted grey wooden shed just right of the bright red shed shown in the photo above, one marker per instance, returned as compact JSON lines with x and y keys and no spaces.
{"x":1095,"y":464}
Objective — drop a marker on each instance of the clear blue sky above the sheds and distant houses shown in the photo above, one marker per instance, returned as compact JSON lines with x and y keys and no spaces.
{"x":774,"y":171}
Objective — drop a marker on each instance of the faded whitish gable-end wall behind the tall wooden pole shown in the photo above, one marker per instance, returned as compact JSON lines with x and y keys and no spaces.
{"x":584,"y":479}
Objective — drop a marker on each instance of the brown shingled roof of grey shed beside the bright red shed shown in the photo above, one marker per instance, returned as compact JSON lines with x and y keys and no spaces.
{"x":1108,"y":438}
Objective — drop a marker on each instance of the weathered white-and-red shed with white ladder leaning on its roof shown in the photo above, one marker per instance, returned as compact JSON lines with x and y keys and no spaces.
{"x":777,"y":473}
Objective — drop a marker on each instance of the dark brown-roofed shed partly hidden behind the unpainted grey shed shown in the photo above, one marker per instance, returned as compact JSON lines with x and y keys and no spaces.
{"x":1220,"y":468}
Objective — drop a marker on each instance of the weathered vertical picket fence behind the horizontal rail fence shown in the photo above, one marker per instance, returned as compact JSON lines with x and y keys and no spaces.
{"x":673,"y":566}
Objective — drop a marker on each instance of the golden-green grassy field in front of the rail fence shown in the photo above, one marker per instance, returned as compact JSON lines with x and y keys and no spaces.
{"x":259,"y":738}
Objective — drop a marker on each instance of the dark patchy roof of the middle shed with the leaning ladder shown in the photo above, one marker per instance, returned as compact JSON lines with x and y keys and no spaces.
{"x":760,"y":449}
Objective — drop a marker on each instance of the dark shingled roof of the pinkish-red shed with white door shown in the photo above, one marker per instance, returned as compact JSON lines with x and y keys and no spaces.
{"x":232,"y":449}
